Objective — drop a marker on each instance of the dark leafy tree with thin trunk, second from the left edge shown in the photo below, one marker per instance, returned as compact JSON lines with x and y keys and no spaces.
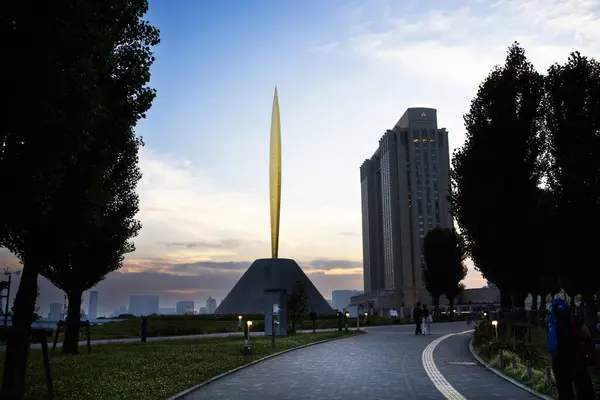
{"x":103,"y":183}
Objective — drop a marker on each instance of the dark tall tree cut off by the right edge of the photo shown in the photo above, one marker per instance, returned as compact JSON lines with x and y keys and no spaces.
{"x":573,"y":123}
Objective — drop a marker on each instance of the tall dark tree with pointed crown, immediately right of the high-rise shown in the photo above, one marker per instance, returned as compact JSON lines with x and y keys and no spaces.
{"x":496,"y":173}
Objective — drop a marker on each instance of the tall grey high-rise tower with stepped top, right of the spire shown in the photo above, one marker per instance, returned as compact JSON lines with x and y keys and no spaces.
{"x":403,"y":189}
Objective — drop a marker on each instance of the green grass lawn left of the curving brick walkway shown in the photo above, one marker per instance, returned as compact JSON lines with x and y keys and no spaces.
{"x":149,"y":371}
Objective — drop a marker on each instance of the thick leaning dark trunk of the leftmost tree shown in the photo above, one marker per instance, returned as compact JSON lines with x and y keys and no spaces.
{"x":17,"y":346}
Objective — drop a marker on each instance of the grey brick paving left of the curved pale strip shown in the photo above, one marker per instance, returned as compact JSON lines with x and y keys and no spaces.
{"x":384,"y":364}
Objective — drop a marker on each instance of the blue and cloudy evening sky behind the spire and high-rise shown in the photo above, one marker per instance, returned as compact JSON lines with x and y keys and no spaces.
{"x":345,"y":71}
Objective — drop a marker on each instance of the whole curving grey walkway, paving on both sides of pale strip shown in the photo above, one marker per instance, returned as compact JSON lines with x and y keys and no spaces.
{"x":385,"y":364}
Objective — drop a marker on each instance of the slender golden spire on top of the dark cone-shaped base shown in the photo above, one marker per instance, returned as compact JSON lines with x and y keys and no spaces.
{"x":275,"y":176}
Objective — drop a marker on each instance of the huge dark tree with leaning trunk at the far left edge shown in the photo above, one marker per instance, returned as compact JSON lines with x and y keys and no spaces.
{"x":46,"y":125}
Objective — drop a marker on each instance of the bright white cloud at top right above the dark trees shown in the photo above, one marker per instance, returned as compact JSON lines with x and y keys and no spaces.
{"x":457,"y":43}
